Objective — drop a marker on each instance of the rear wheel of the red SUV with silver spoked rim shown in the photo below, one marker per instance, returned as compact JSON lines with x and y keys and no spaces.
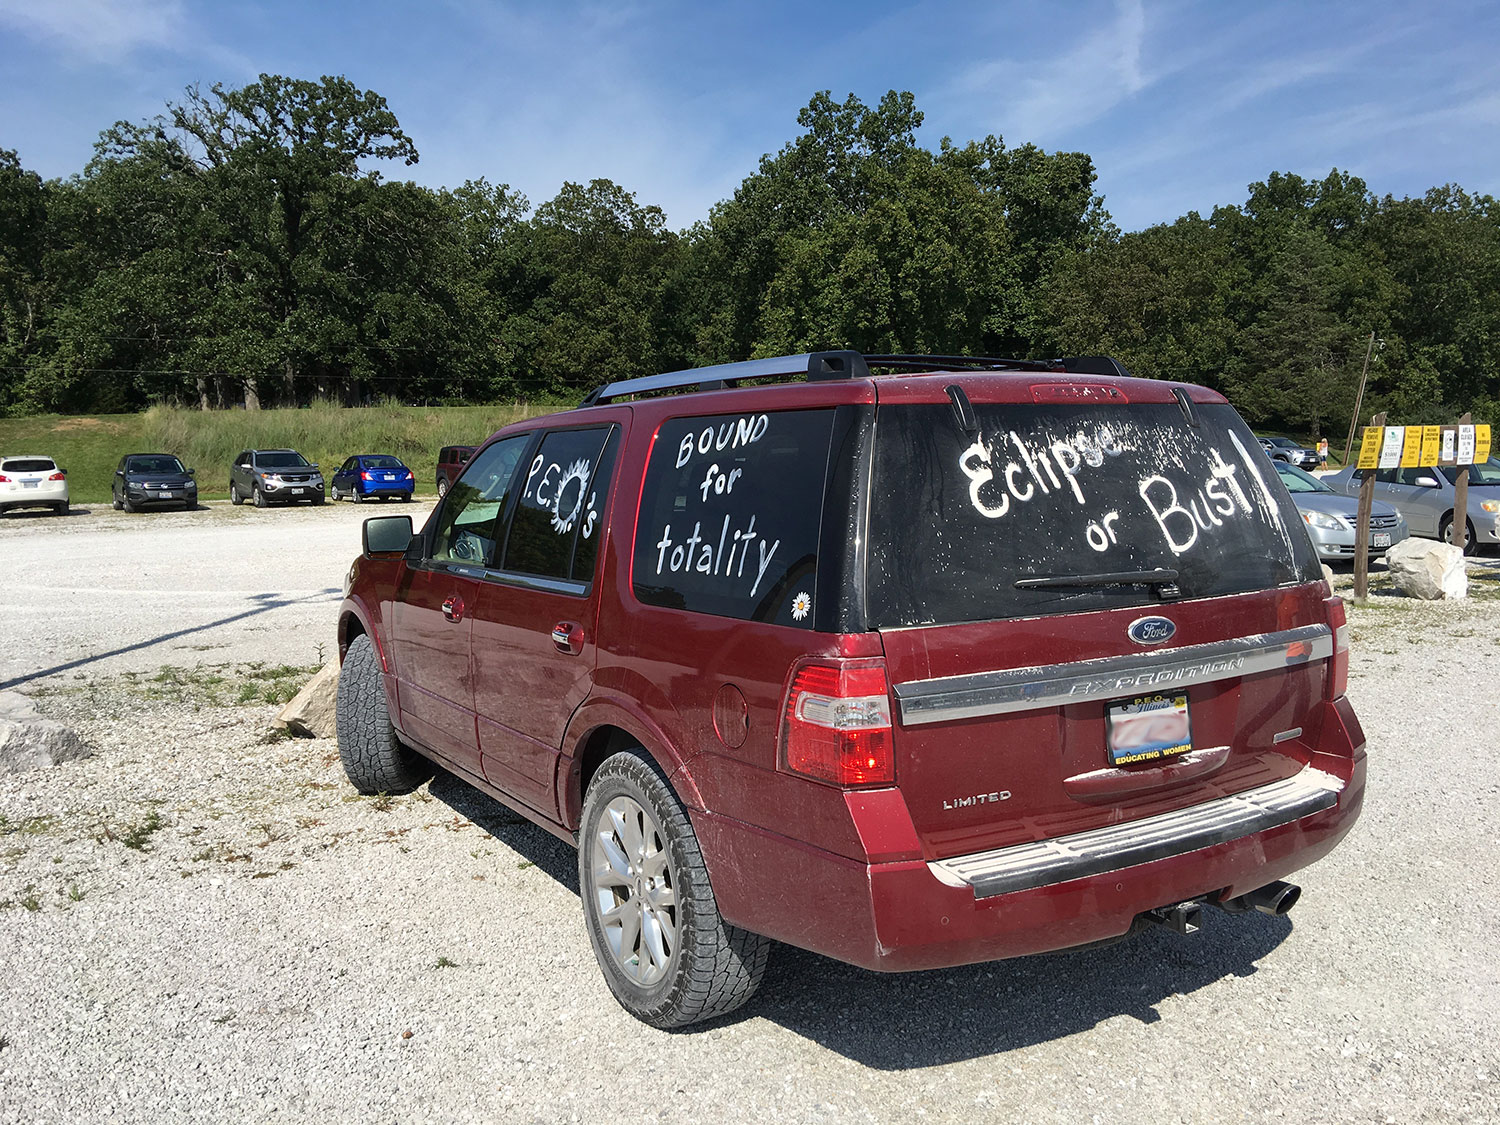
{"x":713,"y":967}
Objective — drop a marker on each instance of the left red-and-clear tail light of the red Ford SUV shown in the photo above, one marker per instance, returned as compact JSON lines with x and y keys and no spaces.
{"x":838,"y":724}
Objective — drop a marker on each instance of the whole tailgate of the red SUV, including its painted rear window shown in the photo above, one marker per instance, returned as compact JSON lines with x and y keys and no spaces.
{"x":1091,"y":608}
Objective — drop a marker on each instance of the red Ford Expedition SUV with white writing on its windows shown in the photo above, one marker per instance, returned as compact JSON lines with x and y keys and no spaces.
{"x":914,"y":662}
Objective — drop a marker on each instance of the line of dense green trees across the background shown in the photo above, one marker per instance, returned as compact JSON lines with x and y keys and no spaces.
{"x":250,"y":248}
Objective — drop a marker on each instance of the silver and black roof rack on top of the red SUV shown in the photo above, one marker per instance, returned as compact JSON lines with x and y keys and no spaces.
{"x":821,"y":367}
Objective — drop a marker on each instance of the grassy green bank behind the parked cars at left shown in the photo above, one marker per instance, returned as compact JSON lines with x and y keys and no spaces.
{"x":91,"y":446}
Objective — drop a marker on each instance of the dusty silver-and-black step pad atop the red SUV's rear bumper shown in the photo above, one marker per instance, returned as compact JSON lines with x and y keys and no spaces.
{"x":1024,"y":868}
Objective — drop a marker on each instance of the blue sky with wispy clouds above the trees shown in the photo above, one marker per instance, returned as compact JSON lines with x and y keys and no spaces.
{"x":1181,"y":104}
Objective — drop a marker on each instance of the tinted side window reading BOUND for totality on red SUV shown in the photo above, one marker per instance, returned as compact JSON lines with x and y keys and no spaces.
{"x":731,"y":514}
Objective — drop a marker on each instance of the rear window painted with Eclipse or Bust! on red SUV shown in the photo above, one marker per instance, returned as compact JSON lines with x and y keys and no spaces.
{"x":1070,"y":493}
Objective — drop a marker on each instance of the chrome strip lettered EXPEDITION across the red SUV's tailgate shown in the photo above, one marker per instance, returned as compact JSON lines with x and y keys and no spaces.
{"x":1025,"y":689}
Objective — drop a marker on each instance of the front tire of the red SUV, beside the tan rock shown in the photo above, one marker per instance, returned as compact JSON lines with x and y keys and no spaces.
{"x":374,"y":760}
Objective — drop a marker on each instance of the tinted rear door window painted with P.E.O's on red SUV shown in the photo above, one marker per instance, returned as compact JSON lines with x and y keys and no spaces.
{"x":556,"y":530}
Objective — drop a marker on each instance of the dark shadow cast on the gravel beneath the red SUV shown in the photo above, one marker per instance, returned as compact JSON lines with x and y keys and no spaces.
{"x":926,"y":1019}
